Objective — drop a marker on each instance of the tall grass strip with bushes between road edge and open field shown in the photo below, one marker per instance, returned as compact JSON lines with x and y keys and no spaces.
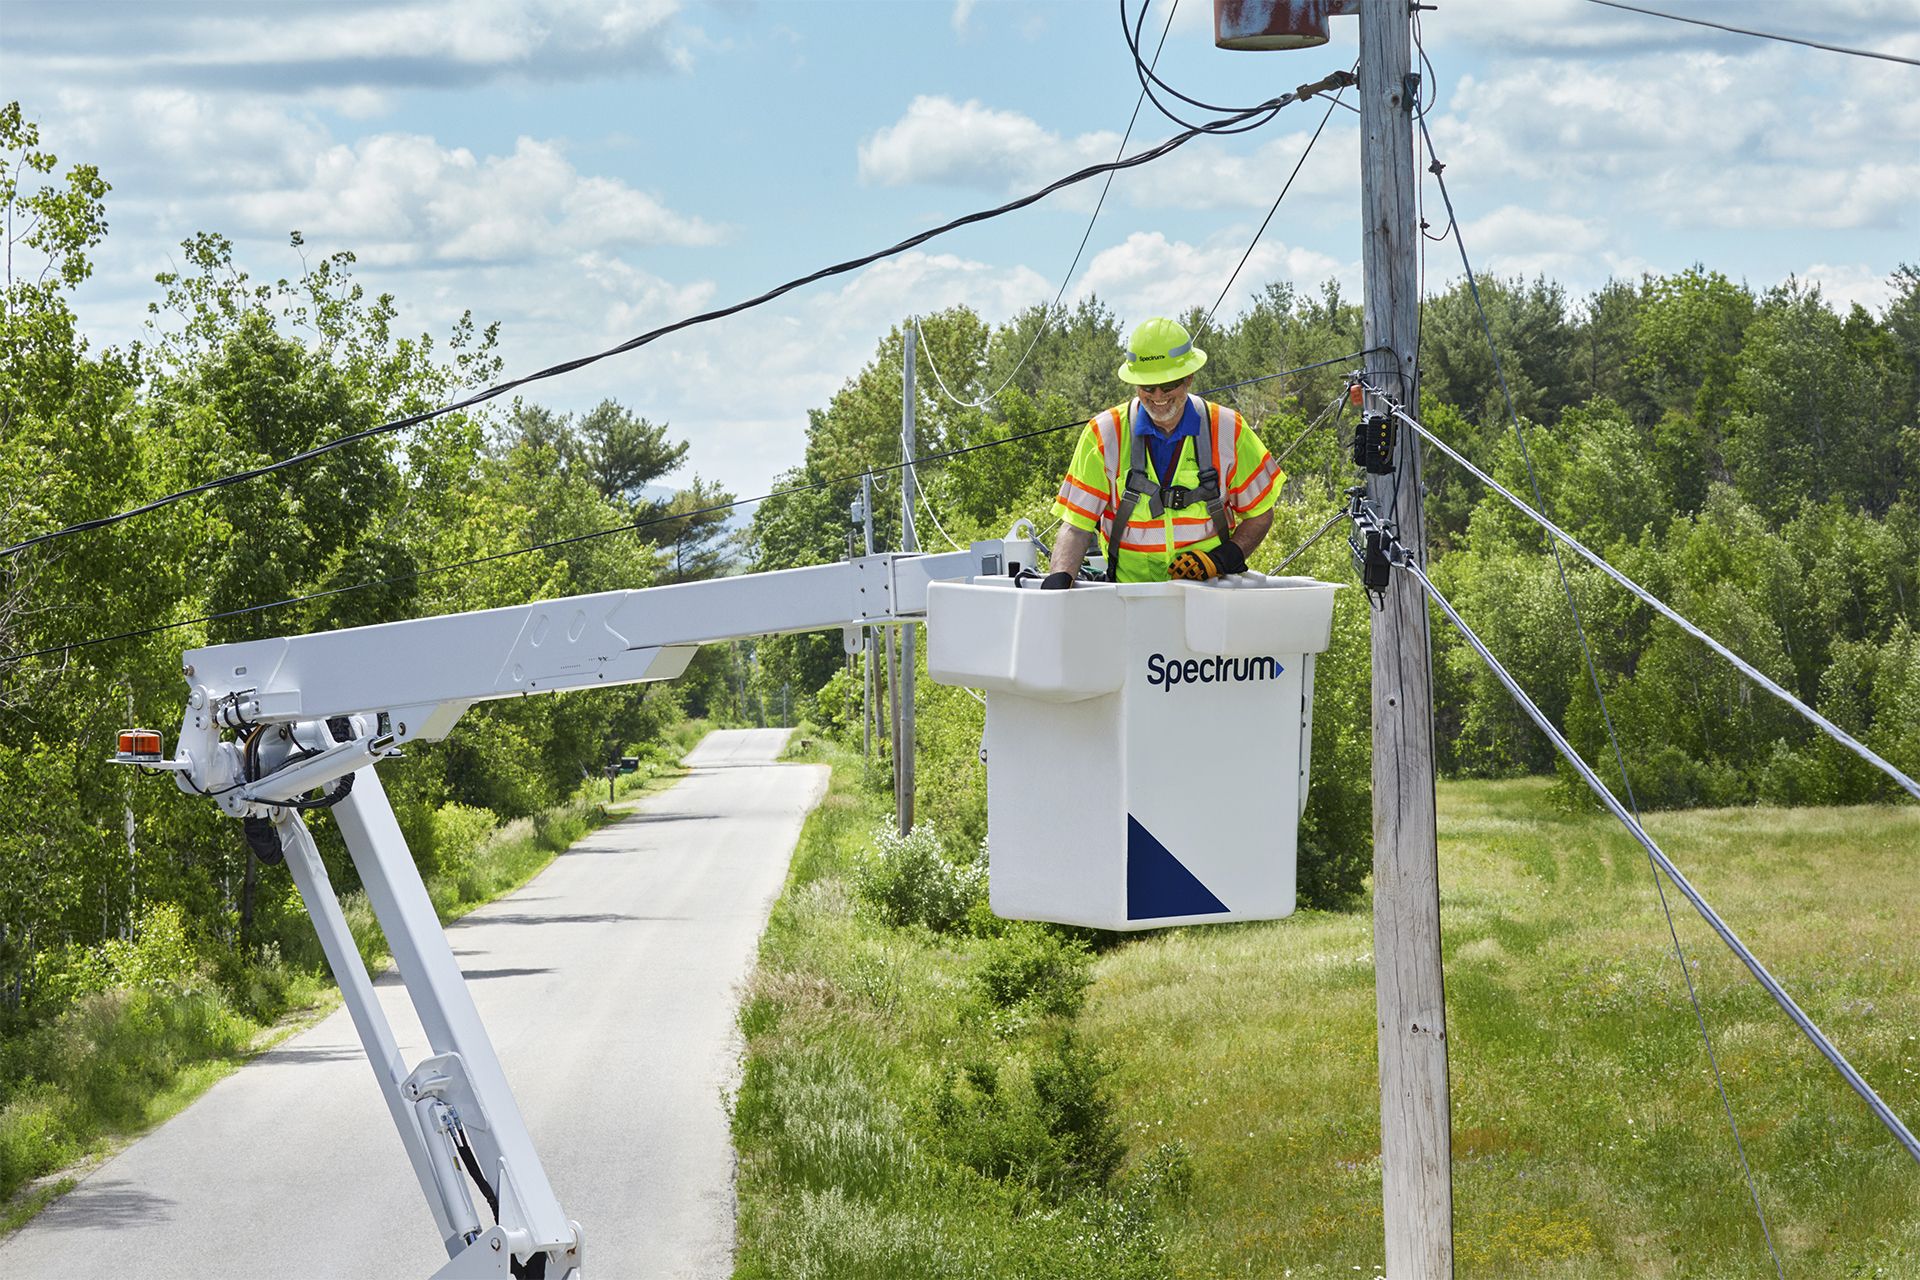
{"x":915,"y":1102}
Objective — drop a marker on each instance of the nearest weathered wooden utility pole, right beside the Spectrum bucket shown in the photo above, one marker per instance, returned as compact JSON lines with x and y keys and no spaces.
{"x":1416,"y":1124}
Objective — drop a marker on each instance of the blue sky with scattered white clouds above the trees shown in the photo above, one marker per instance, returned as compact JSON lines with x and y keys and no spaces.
{"x":588,"y":170}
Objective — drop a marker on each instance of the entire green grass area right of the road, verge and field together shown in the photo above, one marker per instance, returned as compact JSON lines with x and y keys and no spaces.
{"x":1589,"y":1137}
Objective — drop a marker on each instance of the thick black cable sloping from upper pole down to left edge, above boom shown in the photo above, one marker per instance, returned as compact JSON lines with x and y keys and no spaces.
{"x":1155,"y":153}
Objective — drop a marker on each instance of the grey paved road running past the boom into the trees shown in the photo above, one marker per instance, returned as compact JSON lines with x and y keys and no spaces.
{"x":610,"y":987}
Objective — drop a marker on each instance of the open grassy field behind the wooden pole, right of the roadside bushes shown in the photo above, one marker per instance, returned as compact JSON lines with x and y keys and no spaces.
{"x":1589,"y":1137}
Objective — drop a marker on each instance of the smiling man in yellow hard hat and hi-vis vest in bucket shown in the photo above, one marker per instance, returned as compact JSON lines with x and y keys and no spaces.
{"x":1164,"y":508}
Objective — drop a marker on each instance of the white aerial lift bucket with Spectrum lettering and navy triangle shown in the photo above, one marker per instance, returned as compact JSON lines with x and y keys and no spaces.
{"x":1122,"y":723}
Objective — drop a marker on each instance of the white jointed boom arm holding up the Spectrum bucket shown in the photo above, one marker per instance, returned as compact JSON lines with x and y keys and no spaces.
{"x":270,"y":723}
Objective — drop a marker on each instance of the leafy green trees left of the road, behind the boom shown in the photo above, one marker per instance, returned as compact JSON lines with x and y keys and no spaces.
{"x":235,"y":373}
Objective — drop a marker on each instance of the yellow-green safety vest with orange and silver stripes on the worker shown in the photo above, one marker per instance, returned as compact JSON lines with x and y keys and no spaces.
{"x":1163,"y":521}
